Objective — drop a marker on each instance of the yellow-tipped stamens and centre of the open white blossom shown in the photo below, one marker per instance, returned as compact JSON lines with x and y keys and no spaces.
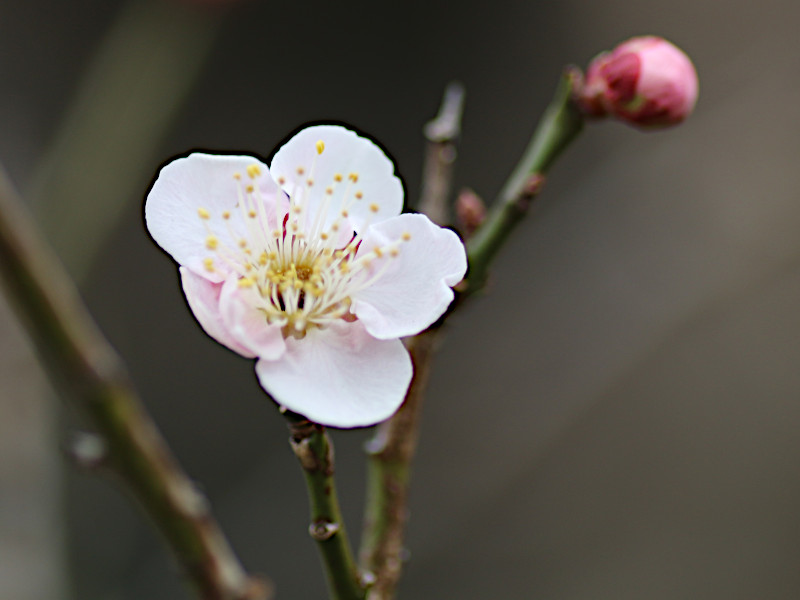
{"x":299,"y":264}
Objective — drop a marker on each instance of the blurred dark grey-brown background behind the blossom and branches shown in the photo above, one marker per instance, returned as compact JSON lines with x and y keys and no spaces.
{"x":617,"y":418}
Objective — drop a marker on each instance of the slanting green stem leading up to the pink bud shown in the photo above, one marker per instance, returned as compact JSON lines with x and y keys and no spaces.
{"x":558,"y":127}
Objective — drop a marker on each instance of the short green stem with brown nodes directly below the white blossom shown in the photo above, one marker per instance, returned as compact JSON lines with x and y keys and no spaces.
{"x":314,"y":450}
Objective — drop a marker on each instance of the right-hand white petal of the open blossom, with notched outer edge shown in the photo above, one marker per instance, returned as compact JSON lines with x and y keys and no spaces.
{"x":414,"y":290}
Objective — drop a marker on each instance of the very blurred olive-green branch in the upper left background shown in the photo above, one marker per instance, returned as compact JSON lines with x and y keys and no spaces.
{"x":107,"y":141}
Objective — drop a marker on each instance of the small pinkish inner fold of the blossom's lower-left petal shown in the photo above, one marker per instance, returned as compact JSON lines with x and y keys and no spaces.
{"x":247,"y":325}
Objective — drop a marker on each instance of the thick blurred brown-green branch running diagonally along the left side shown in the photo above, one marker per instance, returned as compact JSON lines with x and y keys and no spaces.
{"x":84,"y":367}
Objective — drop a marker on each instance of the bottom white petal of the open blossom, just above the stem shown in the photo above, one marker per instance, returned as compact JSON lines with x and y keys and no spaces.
{"x":339,"y":376}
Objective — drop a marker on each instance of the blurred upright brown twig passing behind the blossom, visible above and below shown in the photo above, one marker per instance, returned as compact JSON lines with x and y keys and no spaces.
{"x":391,"y":451}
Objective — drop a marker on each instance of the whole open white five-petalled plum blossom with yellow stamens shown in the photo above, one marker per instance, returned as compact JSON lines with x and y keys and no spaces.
{"x":309,"y":267}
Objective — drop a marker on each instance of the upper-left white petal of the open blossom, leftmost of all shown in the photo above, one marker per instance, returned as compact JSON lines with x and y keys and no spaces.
{"x":205,"y":184}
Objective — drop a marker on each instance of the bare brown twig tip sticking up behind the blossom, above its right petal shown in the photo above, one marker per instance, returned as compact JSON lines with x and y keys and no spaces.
{"x":440,"y":155}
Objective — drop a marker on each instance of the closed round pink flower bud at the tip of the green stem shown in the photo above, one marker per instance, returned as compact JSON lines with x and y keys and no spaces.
{"x":646,"y":81}
